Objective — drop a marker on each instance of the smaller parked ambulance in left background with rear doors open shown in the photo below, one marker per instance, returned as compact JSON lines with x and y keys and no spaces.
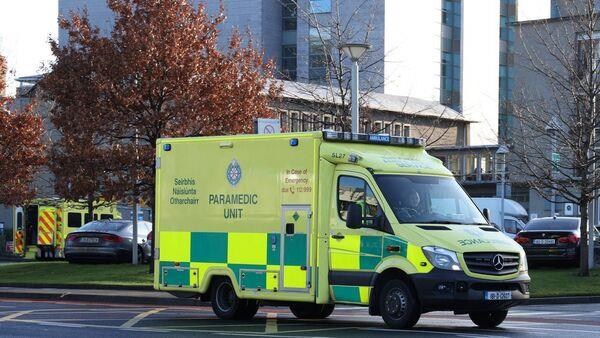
{"x":41,"y":228}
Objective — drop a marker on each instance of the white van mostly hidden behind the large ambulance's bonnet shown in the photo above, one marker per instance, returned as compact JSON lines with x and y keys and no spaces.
{"x":515,"y":216}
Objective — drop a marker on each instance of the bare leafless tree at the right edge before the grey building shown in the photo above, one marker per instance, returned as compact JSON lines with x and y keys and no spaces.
{"x":555,"y":111}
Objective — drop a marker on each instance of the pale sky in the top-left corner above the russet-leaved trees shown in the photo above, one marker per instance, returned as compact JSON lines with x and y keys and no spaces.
{"x":25,"y":27}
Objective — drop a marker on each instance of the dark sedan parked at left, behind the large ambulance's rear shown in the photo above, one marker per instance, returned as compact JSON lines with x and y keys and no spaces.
{"x":106,"y":240}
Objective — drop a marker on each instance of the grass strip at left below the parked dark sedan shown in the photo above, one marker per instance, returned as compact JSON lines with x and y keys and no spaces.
{"x":45,"y":273}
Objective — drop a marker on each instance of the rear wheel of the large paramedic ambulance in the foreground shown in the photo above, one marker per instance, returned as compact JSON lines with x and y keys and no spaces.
{"x":227,"y":305}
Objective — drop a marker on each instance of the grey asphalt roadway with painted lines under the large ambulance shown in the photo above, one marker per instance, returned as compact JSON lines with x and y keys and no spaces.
{"x":27,"y":318}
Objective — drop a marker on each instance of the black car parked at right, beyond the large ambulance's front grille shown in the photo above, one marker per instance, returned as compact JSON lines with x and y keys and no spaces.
{"x":551,"y":239}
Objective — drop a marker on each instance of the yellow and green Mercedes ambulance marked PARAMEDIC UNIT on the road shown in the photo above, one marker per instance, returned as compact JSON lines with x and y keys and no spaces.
{"x":310,"y":220}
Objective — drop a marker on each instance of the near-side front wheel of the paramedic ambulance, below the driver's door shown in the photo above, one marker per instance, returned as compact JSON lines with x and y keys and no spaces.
{"x":398,"y":304}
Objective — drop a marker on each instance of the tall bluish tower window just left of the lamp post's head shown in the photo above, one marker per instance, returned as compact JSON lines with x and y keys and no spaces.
{"x":319,"y":54}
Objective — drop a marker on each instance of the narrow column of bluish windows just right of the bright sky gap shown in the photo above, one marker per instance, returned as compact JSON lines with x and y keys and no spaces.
{"x":508,"y":13}
